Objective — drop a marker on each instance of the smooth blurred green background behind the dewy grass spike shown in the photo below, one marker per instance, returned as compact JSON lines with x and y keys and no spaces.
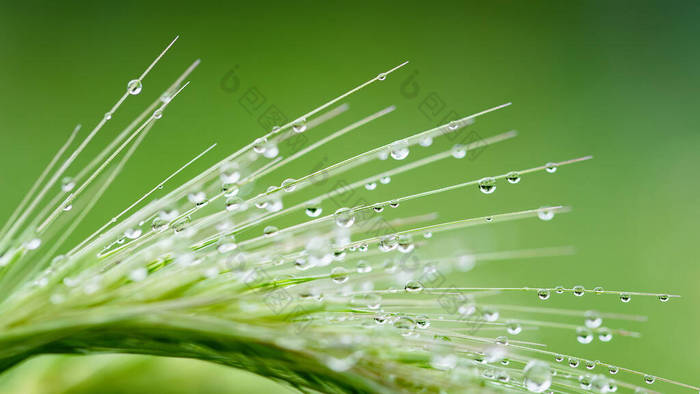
{"x":615,"y":79}
